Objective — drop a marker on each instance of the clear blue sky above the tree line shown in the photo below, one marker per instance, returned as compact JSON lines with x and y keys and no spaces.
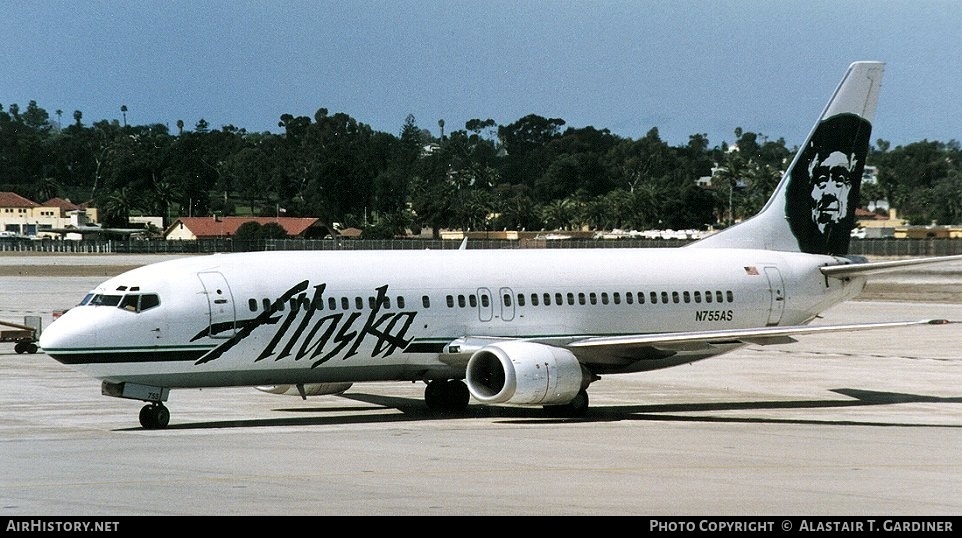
{"x":683,"y":66}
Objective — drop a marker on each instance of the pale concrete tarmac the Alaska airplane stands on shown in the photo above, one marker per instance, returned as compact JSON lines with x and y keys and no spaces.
{"x":846,"y":424}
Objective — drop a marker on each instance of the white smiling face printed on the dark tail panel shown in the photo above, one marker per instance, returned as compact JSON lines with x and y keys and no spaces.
{"x":831,"y":178}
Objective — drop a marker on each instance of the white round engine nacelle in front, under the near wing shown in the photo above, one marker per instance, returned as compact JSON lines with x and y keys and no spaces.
{"x":524,"y":373}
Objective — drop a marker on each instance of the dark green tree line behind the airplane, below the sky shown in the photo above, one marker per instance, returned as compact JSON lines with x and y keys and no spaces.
{"x":533,"y":174}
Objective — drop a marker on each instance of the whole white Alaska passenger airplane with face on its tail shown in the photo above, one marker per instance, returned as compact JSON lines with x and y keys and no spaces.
{"x":528,"y":327}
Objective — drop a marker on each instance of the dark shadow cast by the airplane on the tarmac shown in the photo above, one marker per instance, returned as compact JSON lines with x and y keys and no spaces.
{"x":413,"y":409}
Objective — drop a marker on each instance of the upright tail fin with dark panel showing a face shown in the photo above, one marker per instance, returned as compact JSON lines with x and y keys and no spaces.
{"x":813,"y":207}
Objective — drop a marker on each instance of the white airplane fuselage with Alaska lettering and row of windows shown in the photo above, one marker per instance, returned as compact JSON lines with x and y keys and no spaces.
{"x":312,"y":317}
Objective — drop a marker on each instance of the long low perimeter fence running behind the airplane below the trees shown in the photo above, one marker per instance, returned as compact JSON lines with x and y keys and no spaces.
{"x":880,"y":248}
